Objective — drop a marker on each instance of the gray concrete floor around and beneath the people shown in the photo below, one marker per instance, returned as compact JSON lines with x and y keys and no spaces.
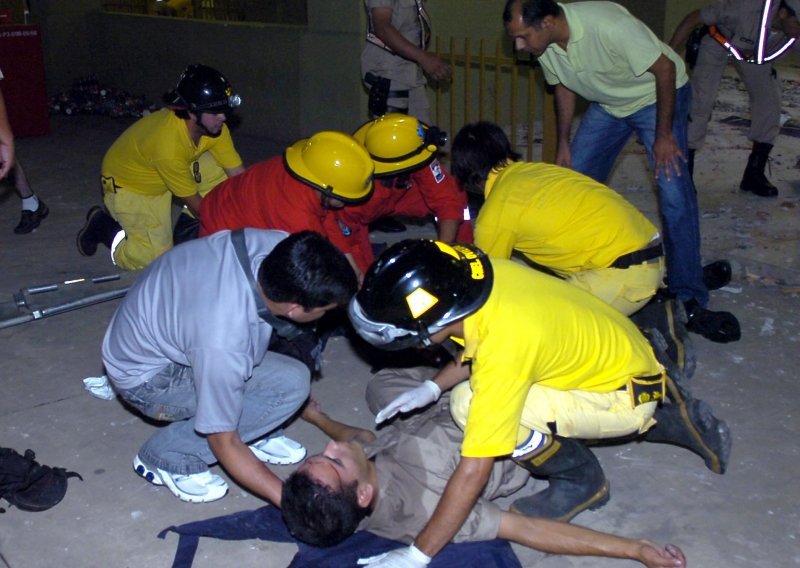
{"x":747,"y":517}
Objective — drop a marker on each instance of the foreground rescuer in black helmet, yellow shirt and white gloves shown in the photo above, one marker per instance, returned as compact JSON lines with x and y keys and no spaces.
{"x":544,"y":365}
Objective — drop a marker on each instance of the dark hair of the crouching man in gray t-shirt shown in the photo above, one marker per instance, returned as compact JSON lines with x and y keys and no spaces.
{"x":305,"y":268}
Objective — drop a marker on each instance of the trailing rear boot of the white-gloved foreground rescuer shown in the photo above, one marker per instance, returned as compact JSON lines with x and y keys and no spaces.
{"x":692,"y":425}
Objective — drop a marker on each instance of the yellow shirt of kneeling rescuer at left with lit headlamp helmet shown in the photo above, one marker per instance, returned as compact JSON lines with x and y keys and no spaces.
{"x":155,"y":155}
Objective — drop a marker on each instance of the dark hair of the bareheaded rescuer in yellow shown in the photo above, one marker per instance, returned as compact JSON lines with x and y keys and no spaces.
{"x":477,"y":149}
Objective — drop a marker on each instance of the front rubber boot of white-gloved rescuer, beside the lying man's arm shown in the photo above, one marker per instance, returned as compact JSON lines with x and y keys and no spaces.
{"x":576,"y":481}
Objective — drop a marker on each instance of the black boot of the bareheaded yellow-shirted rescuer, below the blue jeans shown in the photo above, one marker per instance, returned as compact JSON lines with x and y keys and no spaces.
{"x":667,"y":317}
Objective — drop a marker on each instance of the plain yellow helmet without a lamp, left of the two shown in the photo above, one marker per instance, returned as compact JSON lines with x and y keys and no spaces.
{"x":333,"y":163}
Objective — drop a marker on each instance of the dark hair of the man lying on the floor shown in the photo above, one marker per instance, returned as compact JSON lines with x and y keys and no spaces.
{"x":318,"y":516}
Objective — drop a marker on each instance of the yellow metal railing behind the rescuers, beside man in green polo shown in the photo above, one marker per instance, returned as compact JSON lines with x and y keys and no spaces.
{"x":489,"y":85}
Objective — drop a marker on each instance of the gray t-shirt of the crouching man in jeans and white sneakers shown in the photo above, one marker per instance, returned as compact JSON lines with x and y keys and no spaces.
{"x":194,"y":306}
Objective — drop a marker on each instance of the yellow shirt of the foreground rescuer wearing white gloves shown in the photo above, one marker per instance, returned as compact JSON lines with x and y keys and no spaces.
{"x":535,"y":328}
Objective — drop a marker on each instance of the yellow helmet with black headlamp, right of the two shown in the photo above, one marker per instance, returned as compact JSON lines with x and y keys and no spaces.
{"x":399,"y":143}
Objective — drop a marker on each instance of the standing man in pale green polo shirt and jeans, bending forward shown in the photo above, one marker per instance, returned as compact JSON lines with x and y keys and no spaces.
{"x":634,"y":83}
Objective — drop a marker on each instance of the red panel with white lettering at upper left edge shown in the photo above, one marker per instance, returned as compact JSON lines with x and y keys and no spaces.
{"x":23,"y":84}
